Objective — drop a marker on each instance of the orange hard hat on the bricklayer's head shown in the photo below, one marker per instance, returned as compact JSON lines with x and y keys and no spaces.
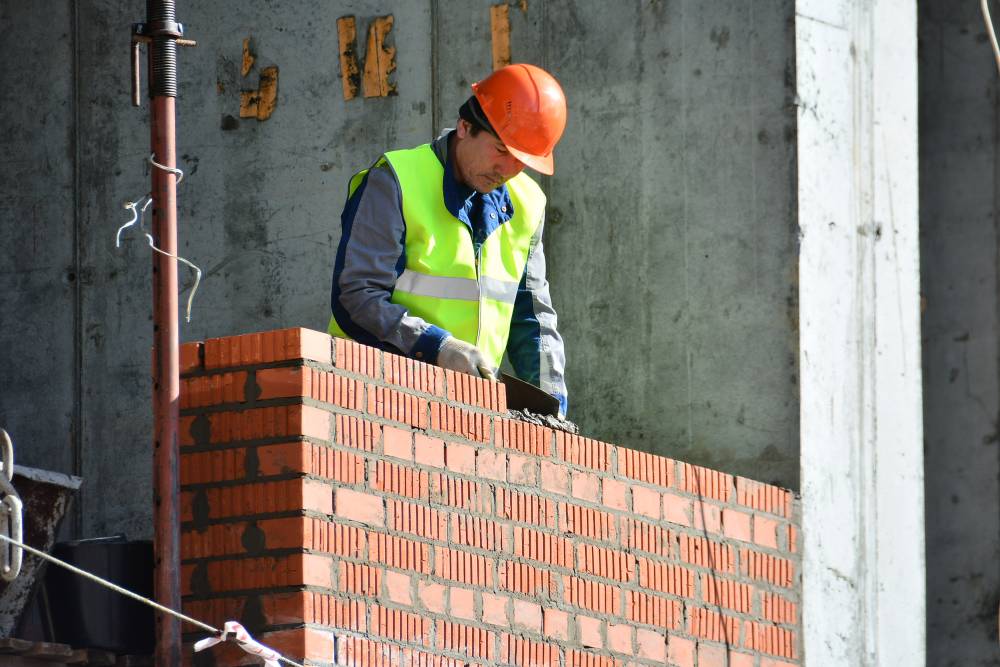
{"x":527,"y":109}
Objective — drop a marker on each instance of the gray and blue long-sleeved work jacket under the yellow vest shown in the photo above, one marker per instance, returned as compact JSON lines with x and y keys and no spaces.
{"x":371,"y":257}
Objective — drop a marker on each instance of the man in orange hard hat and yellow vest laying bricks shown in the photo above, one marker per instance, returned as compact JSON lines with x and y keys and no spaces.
{"x":440,"y":257}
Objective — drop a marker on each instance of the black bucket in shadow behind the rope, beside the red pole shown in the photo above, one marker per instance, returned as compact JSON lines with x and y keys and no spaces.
{"x":88,"y":615}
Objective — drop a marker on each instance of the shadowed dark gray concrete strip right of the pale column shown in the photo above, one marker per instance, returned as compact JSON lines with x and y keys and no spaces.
{"x":958,"y":201}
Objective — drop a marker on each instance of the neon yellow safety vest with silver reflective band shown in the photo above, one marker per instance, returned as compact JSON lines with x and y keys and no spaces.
{"x":444,"y":282}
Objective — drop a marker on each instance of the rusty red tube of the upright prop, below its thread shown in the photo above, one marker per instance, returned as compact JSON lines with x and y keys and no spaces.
{"x":166,"y":384}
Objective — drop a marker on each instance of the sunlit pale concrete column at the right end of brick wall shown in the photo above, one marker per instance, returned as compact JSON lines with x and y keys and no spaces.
{"x":861,"y":417}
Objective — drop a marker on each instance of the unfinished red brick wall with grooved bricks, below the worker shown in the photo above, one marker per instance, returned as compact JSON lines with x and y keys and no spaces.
{"x":353,"y":507}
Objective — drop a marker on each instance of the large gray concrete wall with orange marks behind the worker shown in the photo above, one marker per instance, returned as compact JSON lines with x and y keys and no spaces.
{"x":671,"y":233}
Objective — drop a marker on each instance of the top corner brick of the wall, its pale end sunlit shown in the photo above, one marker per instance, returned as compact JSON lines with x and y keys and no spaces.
{"x":271,"y":346}
